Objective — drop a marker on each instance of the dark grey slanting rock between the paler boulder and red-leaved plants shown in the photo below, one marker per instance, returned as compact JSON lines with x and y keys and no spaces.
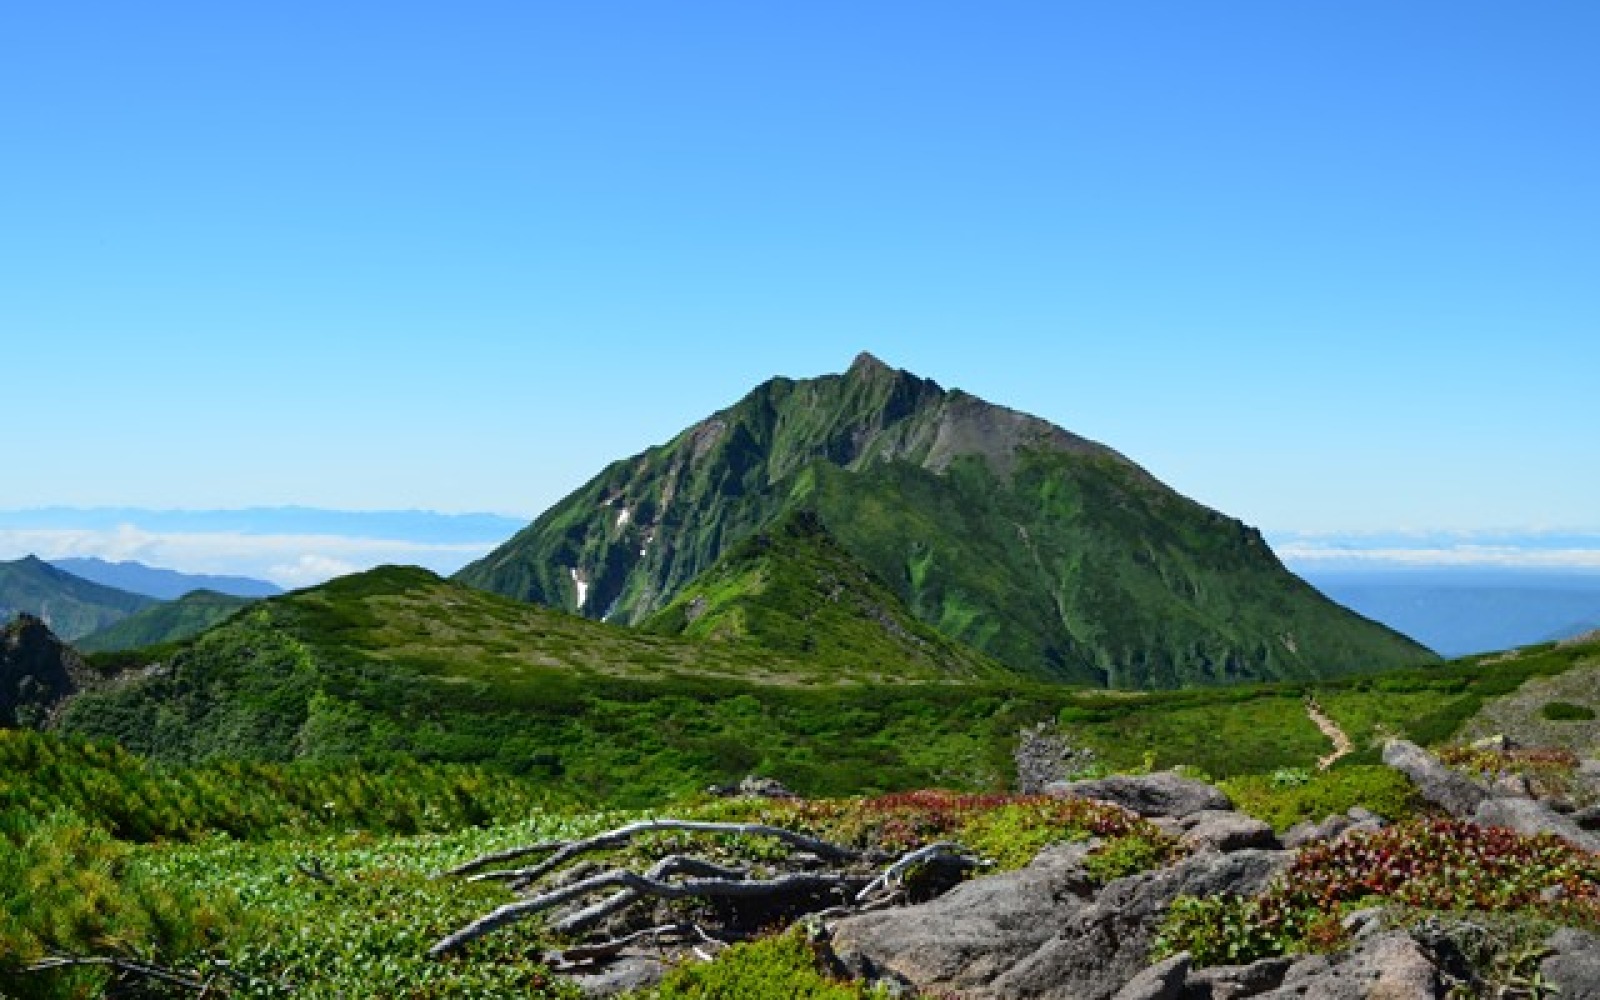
{"x":1108,"y":943}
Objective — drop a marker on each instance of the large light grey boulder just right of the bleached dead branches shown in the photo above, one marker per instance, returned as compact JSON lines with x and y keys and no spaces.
{"x":974,"y":934}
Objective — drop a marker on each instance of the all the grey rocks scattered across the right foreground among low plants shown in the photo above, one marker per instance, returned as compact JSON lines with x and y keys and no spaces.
{"x":1049,"y":932}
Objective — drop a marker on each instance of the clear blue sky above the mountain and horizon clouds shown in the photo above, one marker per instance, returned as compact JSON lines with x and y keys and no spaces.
{"x":1329,"y":266}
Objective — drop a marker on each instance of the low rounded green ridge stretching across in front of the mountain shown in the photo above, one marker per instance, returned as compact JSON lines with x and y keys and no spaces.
{"x":369,"y":671}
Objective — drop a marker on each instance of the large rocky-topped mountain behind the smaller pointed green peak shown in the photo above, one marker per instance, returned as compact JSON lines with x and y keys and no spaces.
{"x":1049,"y":553}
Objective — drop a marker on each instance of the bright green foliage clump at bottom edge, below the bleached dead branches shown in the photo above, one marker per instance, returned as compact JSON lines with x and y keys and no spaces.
{"x":783,"y":967}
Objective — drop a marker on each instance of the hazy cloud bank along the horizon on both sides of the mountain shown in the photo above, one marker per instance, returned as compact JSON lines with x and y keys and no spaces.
{"x":306,"y":546}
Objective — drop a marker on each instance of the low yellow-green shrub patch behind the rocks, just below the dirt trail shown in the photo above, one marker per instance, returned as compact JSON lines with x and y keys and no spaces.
{"x":1279,"y":804}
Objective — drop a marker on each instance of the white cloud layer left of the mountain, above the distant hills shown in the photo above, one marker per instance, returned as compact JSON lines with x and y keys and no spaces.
{"x":292,"y":561}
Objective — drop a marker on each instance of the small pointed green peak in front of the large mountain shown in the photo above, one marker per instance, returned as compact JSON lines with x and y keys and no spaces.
{"x":796,"y":591}
